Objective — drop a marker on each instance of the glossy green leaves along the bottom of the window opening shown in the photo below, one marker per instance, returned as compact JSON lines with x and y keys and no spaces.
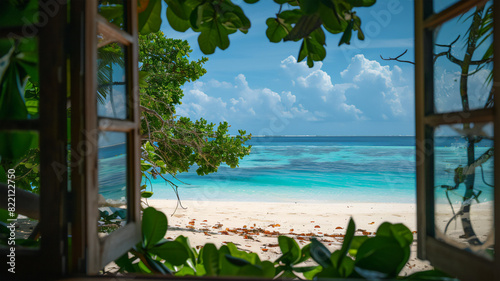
{"x":360,"y":257}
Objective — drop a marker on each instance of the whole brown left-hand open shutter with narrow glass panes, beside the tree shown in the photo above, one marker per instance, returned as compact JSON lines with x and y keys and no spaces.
{"x":105,"y":132}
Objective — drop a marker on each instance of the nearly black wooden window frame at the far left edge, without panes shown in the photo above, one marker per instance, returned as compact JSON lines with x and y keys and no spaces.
{"x":51,"y":127}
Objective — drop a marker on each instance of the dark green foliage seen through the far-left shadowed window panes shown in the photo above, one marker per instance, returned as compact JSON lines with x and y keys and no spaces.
{"x":19,"y":97}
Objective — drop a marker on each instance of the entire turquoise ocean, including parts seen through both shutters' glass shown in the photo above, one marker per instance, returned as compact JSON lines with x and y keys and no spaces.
{"x":313,"y":169}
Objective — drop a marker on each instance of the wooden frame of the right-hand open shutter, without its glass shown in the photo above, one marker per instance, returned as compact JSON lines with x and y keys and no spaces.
{"x":465,"y":265}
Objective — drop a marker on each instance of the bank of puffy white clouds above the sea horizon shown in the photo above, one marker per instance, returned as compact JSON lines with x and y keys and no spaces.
{"x":364,"y":91}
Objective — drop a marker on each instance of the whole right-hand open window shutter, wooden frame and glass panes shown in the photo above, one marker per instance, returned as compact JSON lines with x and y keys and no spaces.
{"x":457,"y":127}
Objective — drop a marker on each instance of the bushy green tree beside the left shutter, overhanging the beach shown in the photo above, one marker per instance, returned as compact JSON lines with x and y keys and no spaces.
{"x":173,"y":144}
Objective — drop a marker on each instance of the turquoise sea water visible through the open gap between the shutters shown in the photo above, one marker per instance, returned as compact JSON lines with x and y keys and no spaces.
{"x":310,"y":169}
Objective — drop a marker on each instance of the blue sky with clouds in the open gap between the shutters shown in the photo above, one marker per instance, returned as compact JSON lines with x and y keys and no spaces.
{"x":259,"y":87}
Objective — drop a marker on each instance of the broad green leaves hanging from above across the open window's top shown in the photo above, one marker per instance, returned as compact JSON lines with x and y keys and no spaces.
{"x":216,"y":20}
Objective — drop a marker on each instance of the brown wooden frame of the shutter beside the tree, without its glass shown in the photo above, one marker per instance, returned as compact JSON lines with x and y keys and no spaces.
{"x":91,"y":253}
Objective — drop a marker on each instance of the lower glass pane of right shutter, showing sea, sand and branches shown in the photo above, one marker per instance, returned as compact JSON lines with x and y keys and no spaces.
{"x":464,"y":180}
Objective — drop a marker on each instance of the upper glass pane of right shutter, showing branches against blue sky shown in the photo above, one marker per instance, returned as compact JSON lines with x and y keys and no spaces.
{"x":463,"y":53}
